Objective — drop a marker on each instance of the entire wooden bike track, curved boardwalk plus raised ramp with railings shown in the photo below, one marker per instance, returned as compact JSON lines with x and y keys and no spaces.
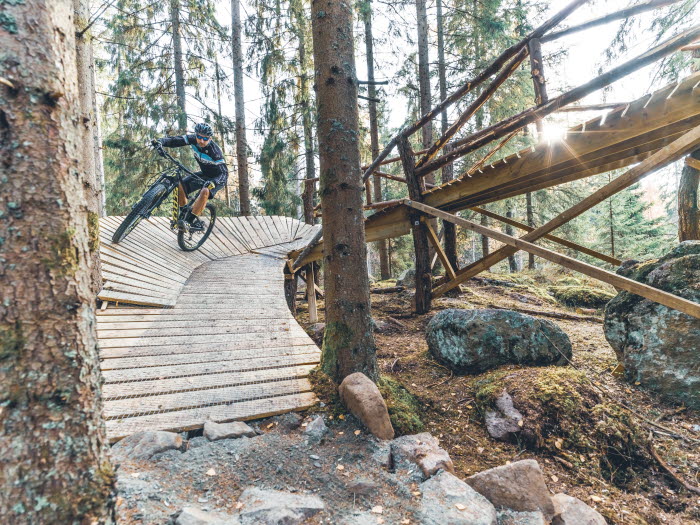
{"x":208,"y":334}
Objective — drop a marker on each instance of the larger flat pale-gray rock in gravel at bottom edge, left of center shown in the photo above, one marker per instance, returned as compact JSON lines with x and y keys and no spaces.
{"x":273,"y":507}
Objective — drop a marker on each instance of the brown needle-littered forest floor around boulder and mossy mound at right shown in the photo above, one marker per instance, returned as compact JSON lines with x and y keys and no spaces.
{"x":451,"y":413}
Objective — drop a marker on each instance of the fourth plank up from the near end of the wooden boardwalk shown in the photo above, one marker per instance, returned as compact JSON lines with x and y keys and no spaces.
{"x":239,"y":365}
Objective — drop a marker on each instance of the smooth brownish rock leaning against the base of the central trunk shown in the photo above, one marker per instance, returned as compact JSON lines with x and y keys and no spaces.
{"x":363,"y":399}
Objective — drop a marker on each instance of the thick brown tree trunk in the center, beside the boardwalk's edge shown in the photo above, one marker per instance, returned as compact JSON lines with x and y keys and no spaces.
{"x":348,"y":343}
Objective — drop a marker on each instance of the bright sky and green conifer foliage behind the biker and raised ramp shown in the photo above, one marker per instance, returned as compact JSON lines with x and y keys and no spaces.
{"x":136,"y":82}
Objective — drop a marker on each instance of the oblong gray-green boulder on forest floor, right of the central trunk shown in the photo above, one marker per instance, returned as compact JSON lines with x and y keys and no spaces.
{"x":473,"y":341}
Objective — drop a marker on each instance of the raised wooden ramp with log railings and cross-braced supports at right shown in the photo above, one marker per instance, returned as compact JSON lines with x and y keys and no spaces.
{"x":651,"y":132}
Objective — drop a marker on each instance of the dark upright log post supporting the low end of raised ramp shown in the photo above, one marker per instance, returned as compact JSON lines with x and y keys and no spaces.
{"x":420,"y":231}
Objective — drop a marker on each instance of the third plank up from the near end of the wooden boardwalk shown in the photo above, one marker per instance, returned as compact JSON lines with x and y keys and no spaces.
{"x":200,"y":382}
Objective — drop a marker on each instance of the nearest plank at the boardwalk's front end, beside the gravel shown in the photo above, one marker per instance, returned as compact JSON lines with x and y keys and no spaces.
{"x":194,"y":418}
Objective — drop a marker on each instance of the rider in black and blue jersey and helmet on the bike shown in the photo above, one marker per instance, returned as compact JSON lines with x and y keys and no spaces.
{"x":212,"y":167}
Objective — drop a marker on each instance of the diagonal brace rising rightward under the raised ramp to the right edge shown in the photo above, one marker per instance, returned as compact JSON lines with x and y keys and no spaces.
{"x":666,"y":155}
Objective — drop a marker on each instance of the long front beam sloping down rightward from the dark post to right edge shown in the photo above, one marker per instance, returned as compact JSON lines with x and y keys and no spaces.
{"x":653,"y":294}
